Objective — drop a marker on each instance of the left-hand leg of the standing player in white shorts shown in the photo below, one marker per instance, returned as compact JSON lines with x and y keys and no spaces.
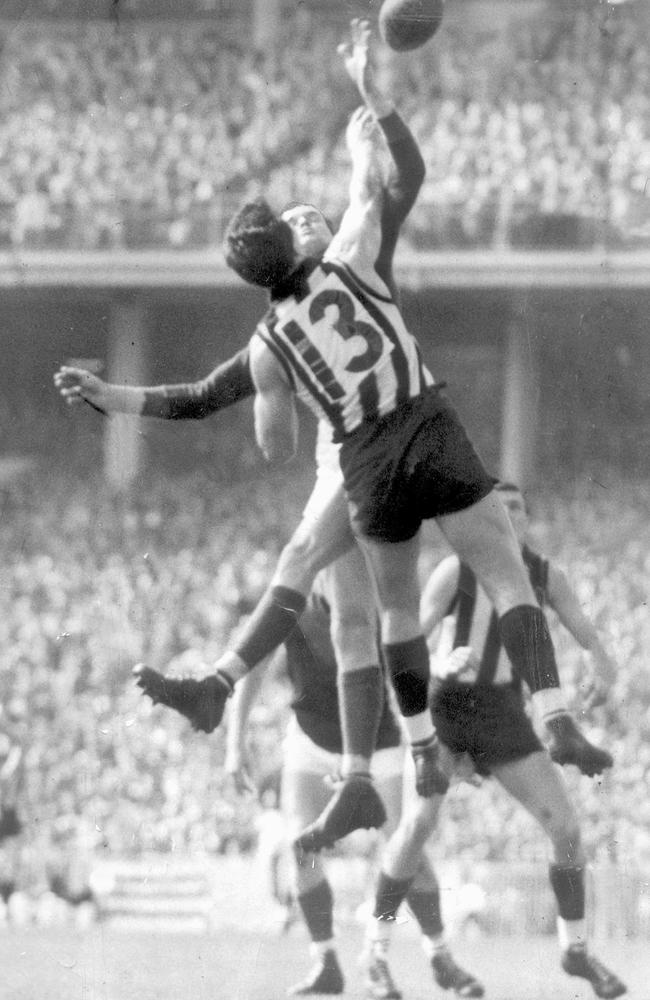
{"x":304,"y":796}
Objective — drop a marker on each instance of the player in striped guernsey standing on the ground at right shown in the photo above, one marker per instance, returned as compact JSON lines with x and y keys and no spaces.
{"x":478,"y":710}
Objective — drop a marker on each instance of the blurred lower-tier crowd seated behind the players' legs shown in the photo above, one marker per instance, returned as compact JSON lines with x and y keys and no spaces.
{"x":91,"y":585}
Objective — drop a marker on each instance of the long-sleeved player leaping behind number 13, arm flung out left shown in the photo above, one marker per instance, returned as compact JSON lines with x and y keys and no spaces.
{"x":324,"y":528}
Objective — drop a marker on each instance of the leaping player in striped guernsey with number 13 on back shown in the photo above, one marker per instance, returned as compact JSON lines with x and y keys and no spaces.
{"x":334,"y":337}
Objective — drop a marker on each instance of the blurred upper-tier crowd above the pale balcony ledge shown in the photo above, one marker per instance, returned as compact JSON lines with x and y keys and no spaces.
{"x":148,"y":134}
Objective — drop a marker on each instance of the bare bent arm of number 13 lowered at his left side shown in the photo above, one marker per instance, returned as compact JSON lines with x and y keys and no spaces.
{"x":276,"y":420}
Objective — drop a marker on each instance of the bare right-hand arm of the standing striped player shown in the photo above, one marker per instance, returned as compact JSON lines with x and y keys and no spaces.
{"x":563,"y":600}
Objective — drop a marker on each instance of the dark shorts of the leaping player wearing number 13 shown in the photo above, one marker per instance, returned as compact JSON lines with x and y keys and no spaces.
{"x":414,"y":464}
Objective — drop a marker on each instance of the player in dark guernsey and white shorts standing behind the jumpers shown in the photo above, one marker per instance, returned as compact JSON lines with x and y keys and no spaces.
{"x":312,"y":752}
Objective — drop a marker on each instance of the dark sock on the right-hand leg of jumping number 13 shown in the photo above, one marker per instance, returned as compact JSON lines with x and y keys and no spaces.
{"x":527,"y":641}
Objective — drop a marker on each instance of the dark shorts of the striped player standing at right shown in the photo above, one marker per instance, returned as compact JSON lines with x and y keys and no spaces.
{"x":486,"y":721}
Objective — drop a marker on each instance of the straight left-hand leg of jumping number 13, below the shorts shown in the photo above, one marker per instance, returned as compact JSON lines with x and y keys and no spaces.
{"x":394,"y":569}
